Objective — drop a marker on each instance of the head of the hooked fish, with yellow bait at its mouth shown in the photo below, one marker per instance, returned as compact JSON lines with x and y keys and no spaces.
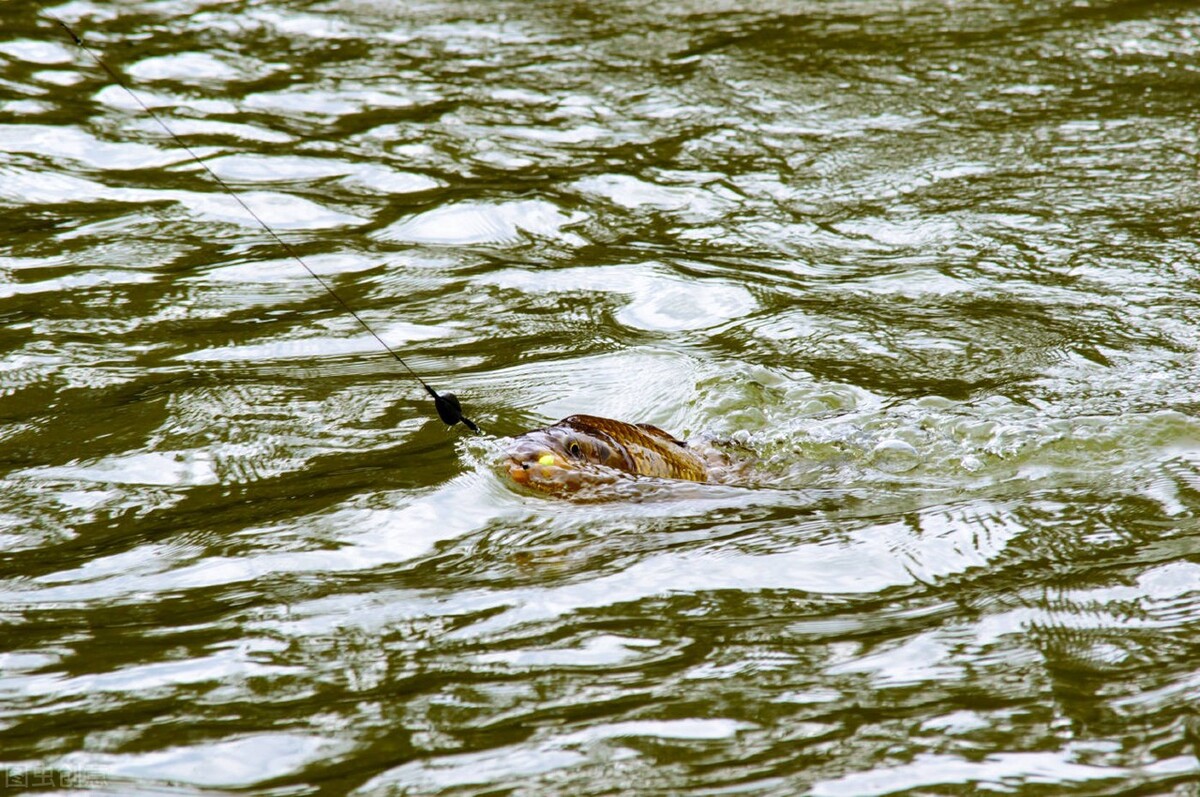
{"x":565,"y":458}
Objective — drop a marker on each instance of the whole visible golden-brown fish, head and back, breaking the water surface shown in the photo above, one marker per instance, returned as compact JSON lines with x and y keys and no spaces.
{"x":584,"y":451}
